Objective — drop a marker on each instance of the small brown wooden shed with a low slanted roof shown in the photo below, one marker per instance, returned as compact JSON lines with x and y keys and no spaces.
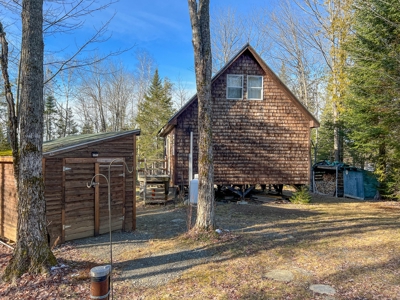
{"x":70,"y":165}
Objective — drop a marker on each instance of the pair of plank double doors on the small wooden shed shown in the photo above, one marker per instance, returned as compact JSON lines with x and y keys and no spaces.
{"x":85,"y":210}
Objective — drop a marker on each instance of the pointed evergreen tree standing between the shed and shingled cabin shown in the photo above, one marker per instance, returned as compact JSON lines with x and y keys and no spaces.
{"x":153,"y":112}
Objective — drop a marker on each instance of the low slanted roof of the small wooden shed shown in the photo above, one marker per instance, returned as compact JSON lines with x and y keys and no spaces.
{"x":73,"y":142}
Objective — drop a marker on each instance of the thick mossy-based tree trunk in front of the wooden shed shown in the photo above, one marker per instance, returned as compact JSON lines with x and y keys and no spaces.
{"x":32,"y":252}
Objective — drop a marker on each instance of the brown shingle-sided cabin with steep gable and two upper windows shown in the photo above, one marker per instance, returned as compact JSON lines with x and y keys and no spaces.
{"x":261,"y":131}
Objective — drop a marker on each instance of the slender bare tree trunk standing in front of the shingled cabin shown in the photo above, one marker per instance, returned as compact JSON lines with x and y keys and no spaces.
{"x":200,"y":20}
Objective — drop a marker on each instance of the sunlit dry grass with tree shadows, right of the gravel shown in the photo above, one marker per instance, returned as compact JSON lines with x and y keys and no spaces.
{"x":349,"y":245}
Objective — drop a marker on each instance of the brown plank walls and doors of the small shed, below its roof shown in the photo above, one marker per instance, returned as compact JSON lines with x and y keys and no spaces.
{"x":68,"y":200}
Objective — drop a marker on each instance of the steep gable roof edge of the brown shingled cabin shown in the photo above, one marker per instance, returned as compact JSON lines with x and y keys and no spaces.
{"x":313,"y":121}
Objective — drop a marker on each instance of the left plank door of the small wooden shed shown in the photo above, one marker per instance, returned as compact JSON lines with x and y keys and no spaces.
{"x":78,"y":214}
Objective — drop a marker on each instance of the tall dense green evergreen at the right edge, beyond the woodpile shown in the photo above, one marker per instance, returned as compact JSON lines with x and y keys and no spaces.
{"x":372,"y":106}
